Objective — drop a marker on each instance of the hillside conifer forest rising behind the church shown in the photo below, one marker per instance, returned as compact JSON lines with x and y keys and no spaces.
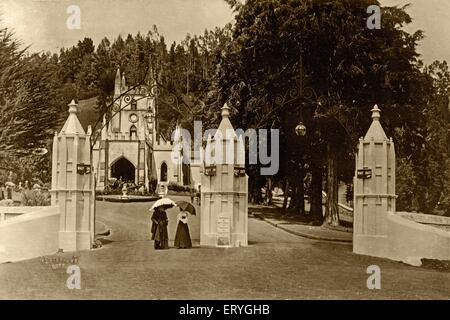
{"x":186,"y":70}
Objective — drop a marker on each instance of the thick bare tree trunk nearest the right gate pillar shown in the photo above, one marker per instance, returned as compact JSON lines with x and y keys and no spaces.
{"x":332,"y":210}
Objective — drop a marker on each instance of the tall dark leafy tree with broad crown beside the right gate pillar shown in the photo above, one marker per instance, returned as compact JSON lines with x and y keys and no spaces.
{"x":349,"y":67}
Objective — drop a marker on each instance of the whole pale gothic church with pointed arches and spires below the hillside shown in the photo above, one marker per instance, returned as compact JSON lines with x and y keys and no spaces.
{"x":130,"y":148}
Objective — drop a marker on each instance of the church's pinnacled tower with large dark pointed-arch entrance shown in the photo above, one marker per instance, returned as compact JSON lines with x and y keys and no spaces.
{"x":126,"y":143}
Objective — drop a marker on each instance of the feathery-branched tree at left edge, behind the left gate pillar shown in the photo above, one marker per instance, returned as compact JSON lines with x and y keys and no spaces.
{"x":31,"y":101}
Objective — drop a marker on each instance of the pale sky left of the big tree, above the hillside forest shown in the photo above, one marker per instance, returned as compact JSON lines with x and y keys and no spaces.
{"x":42,"y":23}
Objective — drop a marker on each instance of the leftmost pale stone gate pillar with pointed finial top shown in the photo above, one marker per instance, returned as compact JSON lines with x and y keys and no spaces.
{"x":71,"y":184}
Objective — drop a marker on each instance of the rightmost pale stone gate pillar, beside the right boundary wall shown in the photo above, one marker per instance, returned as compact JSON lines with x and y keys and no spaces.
{"x":374,"y":189}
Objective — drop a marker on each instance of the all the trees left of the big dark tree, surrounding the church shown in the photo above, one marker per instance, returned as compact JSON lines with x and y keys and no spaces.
{"x":36,"y":88}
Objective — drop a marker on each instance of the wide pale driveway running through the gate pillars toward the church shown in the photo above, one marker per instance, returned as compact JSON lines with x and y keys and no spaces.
{"x":276,"y":265}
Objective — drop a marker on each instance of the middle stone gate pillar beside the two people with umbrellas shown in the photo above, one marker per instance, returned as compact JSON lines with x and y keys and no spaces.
{"x":224,"y":189}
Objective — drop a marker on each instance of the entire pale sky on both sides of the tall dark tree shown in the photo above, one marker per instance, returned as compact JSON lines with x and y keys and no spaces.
{"x":42,"y":23}
